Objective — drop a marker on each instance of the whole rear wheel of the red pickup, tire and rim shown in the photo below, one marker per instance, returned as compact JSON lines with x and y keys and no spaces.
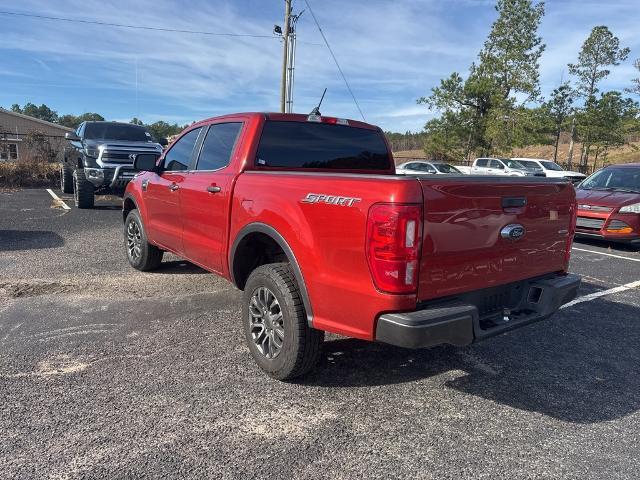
{"x":275,"y":323}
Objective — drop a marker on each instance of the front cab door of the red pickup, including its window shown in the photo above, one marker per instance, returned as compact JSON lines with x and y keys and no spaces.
{"x":163,"y":196}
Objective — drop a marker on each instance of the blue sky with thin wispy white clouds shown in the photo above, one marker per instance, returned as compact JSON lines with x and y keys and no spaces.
{"x":392,"y":52}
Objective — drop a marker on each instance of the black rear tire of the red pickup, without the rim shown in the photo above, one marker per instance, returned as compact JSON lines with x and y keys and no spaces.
{"x":300,"y":348}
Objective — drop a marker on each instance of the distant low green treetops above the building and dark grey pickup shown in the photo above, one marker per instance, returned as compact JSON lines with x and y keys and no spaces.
{"x":159,"y":129}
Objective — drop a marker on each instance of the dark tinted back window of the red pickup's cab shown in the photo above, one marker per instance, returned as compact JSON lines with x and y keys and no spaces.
{"x":321,"y":145}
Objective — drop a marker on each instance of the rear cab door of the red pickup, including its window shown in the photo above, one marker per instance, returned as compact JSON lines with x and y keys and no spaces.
{"x":206,"y":196}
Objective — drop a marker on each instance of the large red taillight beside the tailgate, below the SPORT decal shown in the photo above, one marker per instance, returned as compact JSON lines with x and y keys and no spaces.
{"x":394,"y":239}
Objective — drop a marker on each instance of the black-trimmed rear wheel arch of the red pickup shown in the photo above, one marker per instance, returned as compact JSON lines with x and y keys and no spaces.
{"x":242,"y":244}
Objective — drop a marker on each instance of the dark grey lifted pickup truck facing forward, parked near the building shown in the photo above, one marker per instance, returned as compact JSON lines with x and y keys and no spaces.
{"x":99,"y":159}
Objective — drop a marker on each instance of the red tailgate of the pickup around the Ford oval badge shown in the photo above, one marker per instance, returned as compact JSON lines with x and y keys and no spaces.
{"x":463,"y":249}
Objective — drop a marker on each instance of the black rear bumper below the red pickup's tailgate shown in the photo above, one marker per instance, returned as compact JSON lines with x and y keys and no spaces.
{"x":460,"y":323}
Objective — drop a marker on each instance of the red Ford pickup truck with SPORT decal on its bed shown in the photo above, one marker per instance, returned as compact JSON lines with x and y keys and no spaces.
{"x":306,"y":215}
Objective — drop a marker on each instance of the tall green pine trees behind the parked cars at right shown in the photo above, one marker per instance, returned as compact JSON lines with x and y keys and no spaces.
{"x":497,"y":106}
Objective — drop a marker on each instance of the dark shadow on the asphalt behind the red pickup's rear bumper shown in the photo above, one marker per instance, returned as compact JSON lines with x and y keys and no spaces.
{"x":579,"y":367}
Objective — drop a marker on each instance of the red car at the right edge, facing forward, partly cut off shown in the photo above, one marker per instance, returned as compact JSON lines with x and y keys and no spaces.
{"x":609,"y":204}
